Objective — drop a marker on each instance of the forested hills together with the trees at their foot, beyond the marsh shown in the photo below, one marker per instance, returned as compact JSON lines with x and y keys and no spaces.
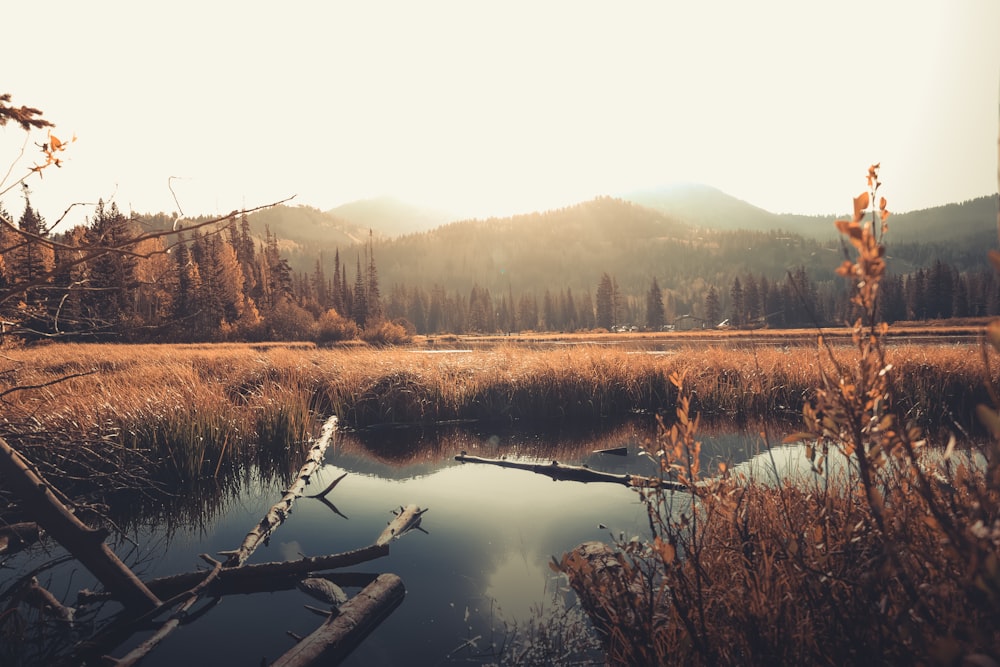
{"x":299,"y":273}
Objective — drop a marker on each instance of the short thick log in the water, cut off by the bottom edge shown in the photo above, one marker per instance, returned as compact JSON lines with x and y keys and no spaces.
{"x":342,"y":632}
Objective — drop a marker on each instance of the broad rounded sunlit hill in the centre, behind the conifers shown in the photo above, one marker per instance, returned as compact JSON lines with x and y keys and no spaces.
{"x":571,"y":247}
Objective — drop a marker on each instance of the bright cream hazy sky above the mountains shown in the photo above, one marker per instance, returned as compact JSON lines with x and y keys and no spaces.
{"x":482,"y":108}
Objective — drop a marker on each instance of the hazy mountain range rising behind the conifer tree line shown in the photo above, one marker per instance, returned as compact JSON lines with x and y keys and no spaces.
{"x":679,"y":233}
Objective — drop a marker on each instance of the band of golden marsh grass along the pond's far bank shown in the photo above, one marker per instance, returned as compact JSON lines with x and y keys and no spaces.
{"x":195,"y":411}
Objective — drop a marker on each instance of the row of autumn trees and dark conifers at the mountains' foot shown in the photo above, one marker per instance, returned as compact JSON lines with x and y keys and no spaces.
{"x":222,"y":283}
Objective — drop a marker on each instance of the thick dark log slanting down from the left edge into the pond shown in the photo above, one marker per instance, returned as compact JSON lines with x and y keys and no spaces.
{"x":84,"y":543}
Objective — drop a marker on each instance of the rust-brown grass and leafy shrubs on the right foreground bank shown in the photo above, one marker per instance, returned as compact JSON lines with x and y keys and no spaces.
{"x":888,"y":554}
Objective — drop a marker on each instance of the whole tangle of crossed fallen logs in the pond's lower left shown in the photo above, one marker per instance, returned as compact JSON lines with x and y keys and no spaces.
{"x":342,"y":631}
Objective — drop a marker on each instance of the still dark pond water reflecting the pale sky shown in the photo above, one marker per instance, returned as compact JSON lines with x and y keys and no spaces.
{"x":479,"y":570}
